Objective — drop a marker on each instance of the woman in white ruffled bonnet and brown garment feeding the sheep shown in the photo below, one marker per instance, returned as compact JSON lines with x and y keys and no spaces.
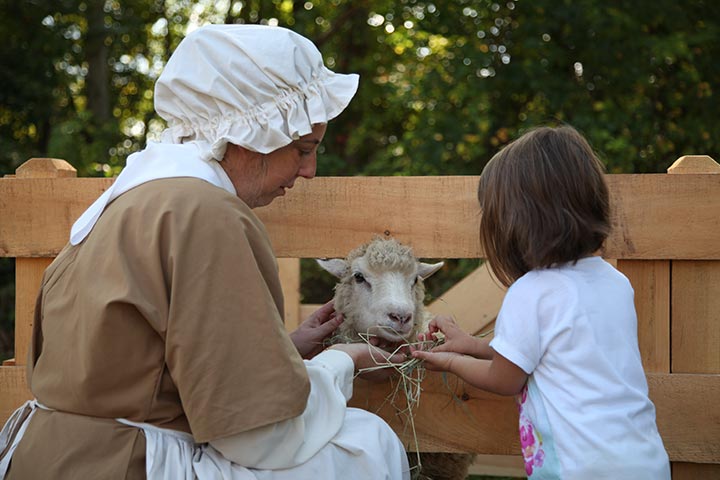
{"x":158,"y":348}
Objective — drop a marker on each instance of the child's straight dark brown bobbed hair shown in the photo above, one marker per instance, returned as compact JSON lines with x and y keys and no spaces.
{"x":544,"y":201}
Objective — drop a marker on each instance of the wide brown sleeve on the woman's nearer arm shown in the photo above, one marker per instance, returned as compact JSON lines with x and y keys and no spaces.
{"x":226,"y":347}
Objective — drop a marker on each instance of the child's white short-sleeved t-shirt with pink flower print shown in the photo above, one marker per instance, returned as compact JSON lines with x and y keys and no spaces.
{"x":585,"y":411}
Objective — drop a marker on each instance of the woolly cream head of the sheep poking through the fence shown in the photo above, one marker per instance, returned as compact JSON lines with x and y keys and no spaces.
{"x":380,"y":290}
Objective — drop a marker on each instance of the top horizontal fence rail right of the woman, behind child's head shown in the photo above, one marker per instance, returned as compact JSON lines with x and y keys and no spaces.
{"x":655,"y":216}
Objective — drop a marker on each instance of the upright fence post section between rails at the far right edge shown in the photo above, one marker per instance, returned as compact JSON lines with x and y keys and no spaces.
{"x":696,"y":316}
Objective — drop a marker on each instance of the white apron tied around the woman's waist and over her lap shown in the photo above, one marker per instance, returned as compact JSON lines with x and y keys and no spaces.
{"x":355,"y":453}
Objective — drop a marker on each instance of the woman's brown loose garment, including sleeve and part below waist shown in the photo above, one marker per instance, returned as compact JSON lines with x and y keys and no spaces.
{"x":168,"y":313}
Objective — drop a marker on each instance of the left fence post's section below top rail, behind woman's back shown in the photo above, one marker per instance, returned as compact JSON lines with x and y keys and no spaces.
{"x":28,"y":276}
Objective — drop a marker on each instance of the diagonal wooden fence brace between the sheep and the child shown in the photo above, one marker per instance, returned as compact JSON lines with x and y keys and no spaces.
{"x":474,"y":301}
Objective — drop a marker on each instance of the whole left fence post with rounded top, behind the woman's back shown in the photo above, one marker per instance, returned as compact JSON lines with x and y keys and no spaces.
{"x":29,"y":271}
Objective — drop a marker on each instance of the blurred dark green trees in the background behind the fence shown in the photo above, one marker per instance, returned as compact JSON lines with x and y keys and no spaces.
{"x":444,"y":84}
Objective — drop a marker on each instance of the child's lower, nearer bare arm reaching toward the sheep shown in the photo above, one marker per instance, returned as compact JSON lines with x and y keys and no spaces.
{"x":498,"y":375}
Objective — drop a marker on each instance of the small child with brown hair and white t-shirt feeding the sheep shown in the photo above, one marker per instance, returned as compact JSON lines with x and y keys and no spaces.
{"x":566,"y":336}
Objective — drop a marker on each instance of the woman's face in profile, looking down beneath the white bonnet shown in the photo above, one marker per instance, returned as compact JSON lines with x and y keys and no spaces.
{"x":259,"y":179}
